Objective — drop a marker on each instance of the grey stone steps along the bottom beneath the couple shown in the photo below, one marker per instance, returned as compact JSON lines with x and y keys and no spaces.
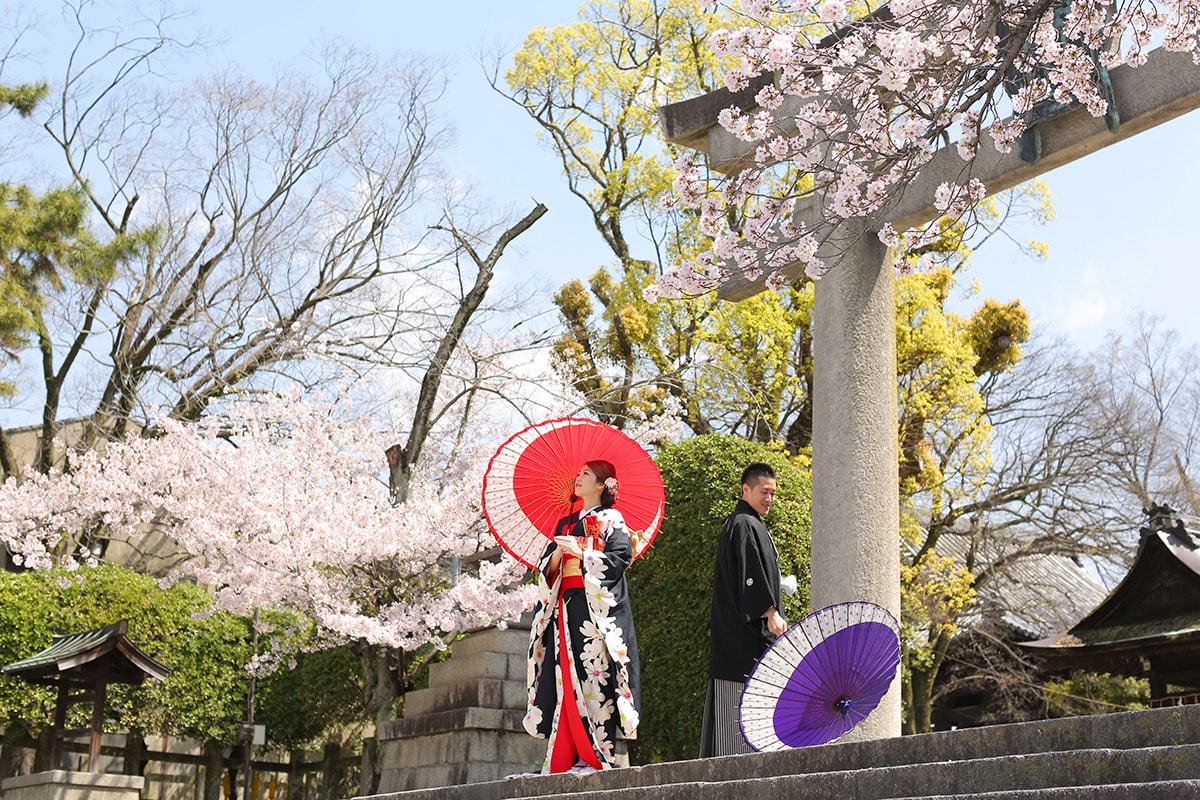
{"x":1153,"y":755}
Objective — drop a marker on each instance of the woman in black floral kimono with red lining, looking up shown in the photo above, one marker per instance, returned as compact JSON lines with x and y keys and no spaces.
{"x":584,"y":669}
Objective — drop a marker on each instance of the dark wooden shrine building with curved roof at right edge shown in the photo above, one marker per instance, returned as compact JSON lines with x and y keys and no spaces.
{"x":1149,"y":627}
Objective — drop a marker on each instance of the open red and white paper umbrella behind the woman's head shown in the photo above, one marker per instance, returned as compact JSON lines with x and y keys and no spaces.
{"x":531,"y":479}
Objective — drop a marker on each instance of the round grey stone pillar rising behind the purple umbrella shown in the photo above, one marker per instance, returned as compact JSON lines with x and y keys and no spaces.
{"x":856,"y":504}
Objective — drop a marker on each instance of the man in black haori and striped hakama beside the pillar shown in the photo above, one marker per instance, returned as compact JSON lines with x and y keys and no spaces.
{"x":746,"y":617}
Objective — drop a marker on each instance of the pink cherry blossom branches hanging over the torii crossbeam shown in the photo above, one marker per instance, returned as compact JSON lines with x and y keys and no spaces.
{"x":855,"y":99}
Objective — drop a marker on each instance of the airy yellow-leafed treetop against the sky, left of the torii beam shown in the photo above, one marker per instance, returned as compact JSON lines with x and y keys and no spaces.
{"x":596,"y":88}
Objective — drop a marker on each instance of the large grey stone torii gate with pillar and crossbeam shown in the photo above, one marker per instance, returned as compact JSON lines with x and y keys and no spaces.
{"x":855,"y":490}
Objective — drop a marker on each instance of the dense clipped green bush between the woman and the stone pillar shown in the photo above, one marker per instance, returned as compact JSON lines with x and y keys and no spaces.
{"x":671,"y":586}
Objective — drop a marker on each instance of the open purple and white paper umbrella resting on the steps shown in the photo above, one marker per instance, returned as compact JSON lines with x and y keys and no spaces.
{"x":821,"y":678}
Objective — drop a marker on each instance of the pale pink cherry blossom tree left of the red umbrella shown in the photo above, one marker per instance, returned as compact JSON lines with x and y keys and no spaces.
{"x":283,"y":503}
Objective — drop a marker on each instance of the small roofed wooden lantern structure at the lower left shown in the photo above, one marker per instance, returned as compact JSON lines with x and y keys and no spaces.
{"x":82,"y":666}
